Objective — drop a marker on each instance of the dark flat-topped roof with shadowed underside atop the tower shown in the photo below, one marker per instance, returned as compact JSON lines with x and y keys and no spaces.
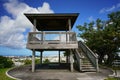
{"x":52,"y":22}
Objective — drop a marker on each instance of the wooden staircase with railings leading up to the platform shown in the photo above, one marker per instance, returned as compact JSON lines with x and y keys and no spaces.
{"x":86,"y":59}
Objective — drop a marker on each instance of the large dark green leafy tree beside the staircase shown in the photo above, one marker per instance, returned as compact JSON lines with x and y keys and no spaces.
{"x":103,"y":37}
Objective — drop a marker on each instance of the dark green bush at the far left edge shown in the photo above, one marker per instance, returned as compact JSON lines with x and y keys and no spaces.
{"x":5,"y":62}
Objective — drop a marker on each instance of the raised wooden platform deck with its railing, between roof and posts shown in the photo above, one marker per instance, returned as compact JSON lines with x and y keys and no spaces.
{"x":37,"y":41}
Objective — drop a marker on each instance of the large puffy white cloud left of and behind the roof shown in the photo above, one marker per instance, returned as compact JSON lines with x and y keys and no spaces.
{"x":12,"y":28}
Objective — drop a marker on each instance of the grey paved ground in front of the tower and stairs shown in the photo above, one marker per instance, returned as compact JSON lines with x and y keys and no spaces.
{"x":24,"y":73}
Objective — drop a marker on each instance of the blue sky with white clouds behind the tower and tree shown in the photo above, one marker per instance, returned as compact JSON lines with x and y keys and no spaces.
{"x":14,"y":26}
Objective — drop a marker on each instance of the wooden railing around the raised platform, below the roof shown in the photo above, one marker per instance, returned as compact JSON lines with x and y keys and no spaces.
{"x":52,"y":37}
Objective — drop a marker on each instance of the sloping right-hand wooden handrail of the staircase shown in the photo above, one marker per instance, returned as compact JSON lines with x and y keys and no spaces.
{"x":91,"y":56}
